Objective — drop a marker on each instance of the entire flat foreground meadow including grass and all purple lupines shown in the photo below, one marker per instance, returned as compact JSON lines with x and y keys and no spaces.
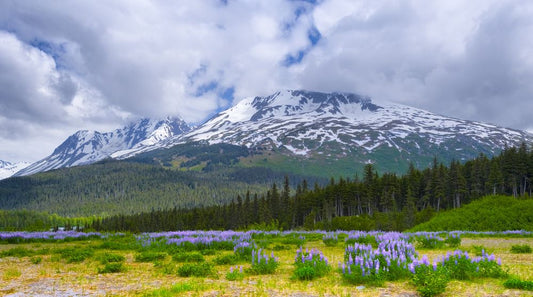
{"x":259,"y":263}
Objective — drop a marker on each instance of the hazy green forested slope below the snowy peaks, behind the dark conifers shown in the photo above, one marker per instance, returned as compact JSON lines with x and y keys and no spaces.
{"x":182,"y":177}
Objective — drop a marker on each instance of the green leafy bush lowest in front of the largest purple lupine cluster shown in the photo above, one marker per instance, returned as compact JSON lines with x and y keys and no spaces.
{"x":430,"y":280}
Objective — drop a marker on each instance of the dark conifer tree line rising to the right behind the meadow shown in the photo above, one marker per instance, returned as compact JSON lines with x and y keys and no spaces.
{"x":370,"y":201}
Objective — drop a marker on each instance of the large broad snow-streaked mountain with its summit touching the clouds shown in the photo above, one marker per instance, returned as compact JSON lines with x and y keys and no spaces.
{"x":341,"y":124}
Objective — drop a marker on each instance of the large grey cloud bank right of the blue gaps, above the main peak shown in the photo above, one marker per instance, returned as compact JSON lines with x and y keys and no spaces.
{"x":468,"y":60}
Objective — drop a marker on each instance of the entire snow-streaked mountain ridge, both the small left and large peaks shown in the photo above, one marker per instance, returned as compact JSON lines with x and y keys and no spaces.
{"x":303,"y":124}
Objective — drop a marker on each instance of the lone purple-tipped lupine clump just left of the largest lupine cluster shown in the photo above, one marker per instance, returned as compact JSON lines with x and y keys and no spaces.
{"x":310,"y":264}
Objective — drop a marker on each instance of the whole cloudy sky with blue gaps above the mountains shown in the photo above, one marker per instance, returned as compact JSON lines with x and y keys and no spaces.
{"x":71,"y":65}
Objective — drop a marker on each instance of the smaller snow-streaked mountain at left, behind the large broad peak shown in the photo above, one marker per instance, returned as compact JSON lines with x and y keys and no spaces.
{"x":86,"y":147}
